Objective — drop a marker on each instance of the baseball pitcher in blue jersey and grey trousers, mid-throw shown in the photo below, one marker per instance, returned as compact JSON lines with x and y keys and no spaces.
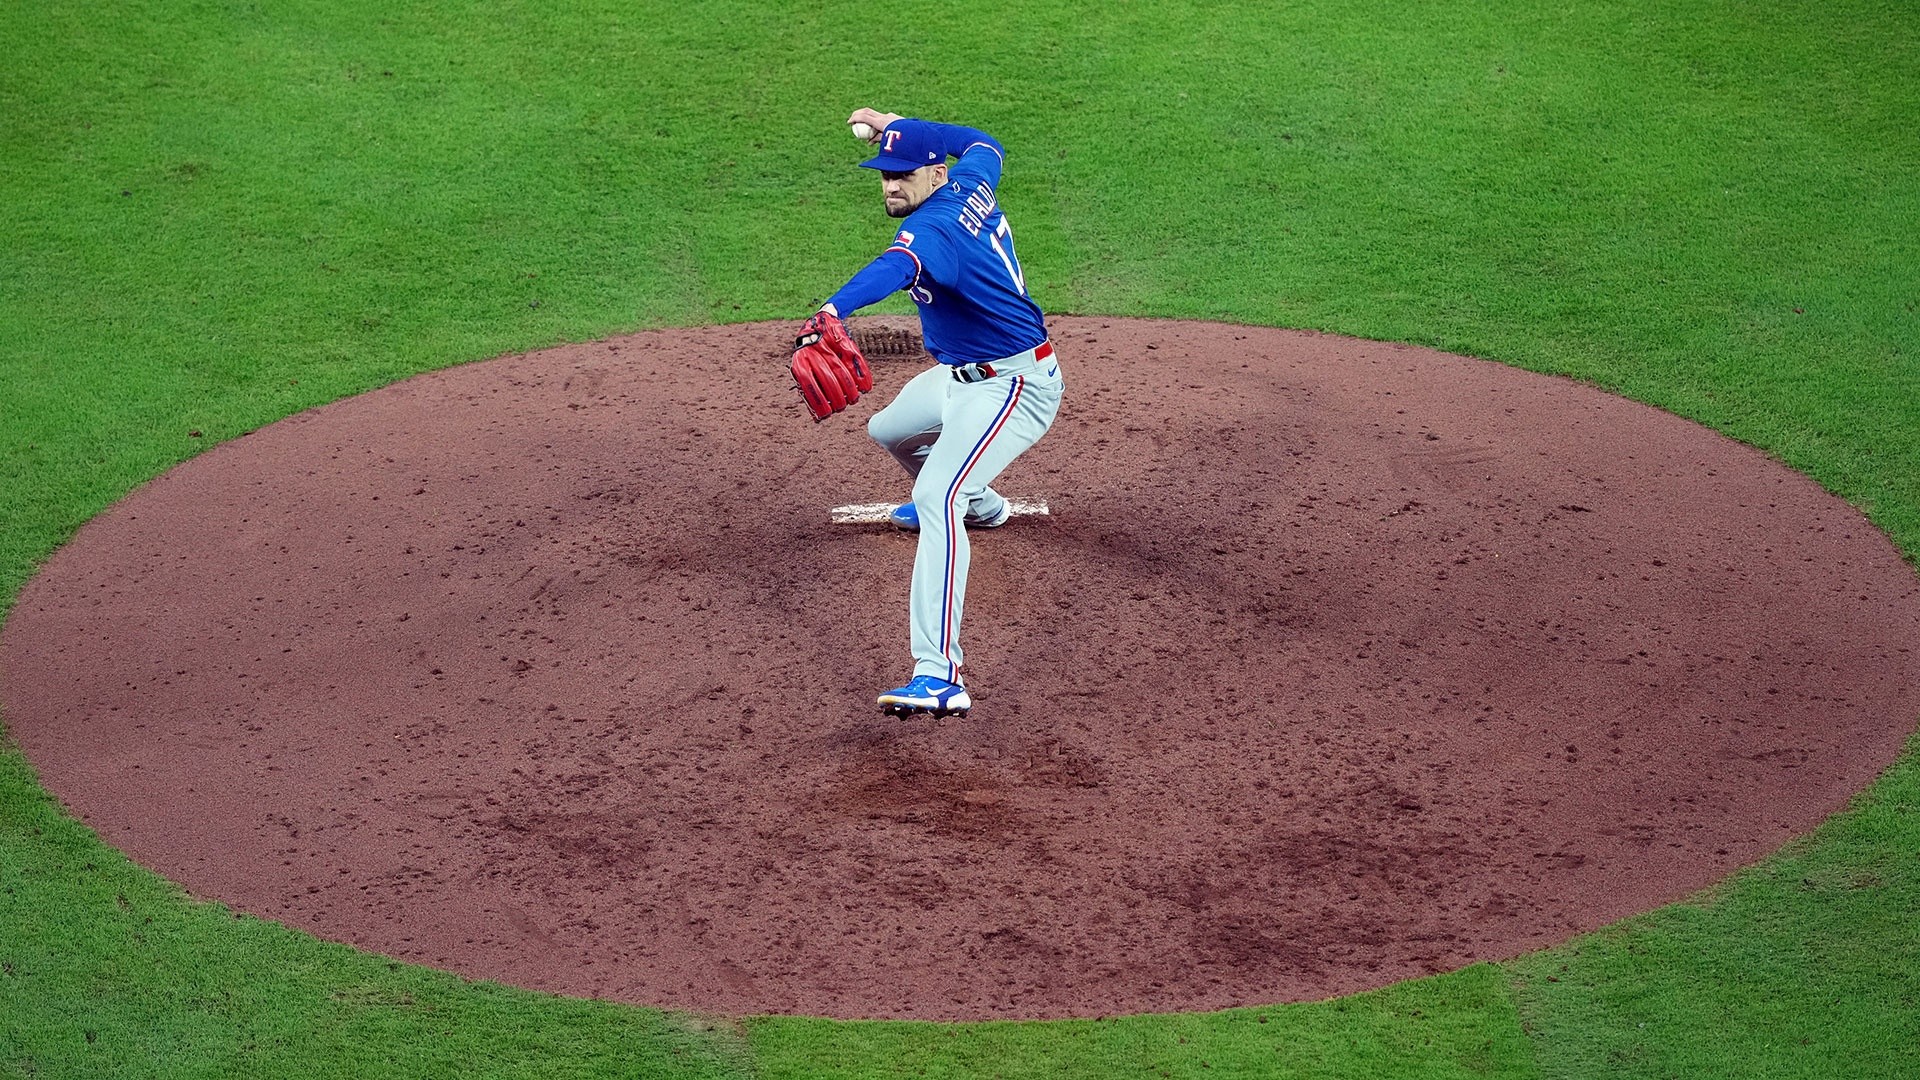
{"x":994,"y":393}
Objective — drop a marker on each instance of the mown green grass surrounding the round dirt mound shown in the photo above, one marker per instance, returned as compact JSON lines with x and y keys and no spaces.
{"x":218,"y":214}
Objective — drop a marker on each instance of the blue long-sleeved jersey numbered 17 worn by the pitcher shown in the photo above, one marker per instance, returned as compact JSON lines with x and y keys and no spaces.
{"x":955,"y":257}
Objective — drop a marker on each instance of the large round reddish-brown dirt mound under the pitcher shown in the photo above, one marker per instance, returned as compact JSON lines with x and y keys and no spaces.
{"x":1337,"y":664}
